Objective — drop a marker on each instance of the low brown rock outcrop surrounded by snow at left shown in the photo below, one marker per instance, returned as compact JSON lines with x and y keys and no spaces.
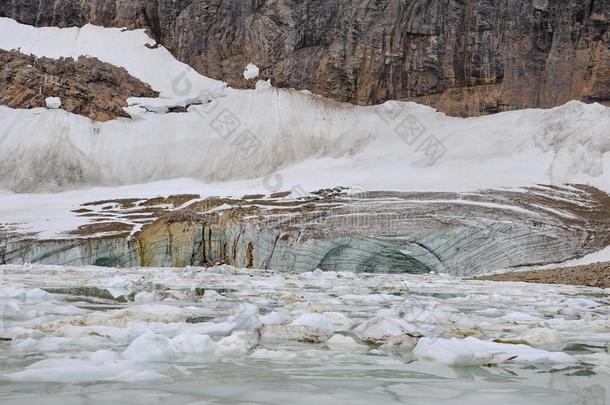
{"x":86,"y":86}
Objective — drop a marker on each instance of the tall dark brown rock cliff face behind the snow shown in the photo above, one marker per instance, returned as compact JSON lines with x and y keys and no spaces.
{"x":465,"y":57}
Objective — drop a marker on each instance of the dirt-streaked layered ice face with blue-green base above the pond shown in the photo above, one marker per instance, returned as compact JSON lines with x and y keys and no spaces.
{"x":460,"y":234}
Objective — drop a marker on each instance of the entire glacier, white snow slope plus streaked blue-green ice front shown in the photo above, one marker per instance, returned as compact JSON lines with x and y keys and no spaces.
{"x":230,"y":143}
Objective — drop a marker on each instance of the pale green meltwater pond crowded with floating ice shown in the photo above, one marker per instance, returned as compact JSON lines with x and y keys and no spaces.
{"x":223,"y":335}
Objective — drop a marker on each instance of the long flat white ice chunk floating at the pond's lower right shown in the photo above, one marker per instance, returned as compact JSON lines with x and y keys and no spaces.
{"x":474,"y":352}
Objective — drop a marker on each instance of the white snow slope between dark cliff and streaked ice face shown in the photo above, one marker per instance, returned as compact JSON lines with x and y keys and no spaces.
{"x":249,"y":134}
